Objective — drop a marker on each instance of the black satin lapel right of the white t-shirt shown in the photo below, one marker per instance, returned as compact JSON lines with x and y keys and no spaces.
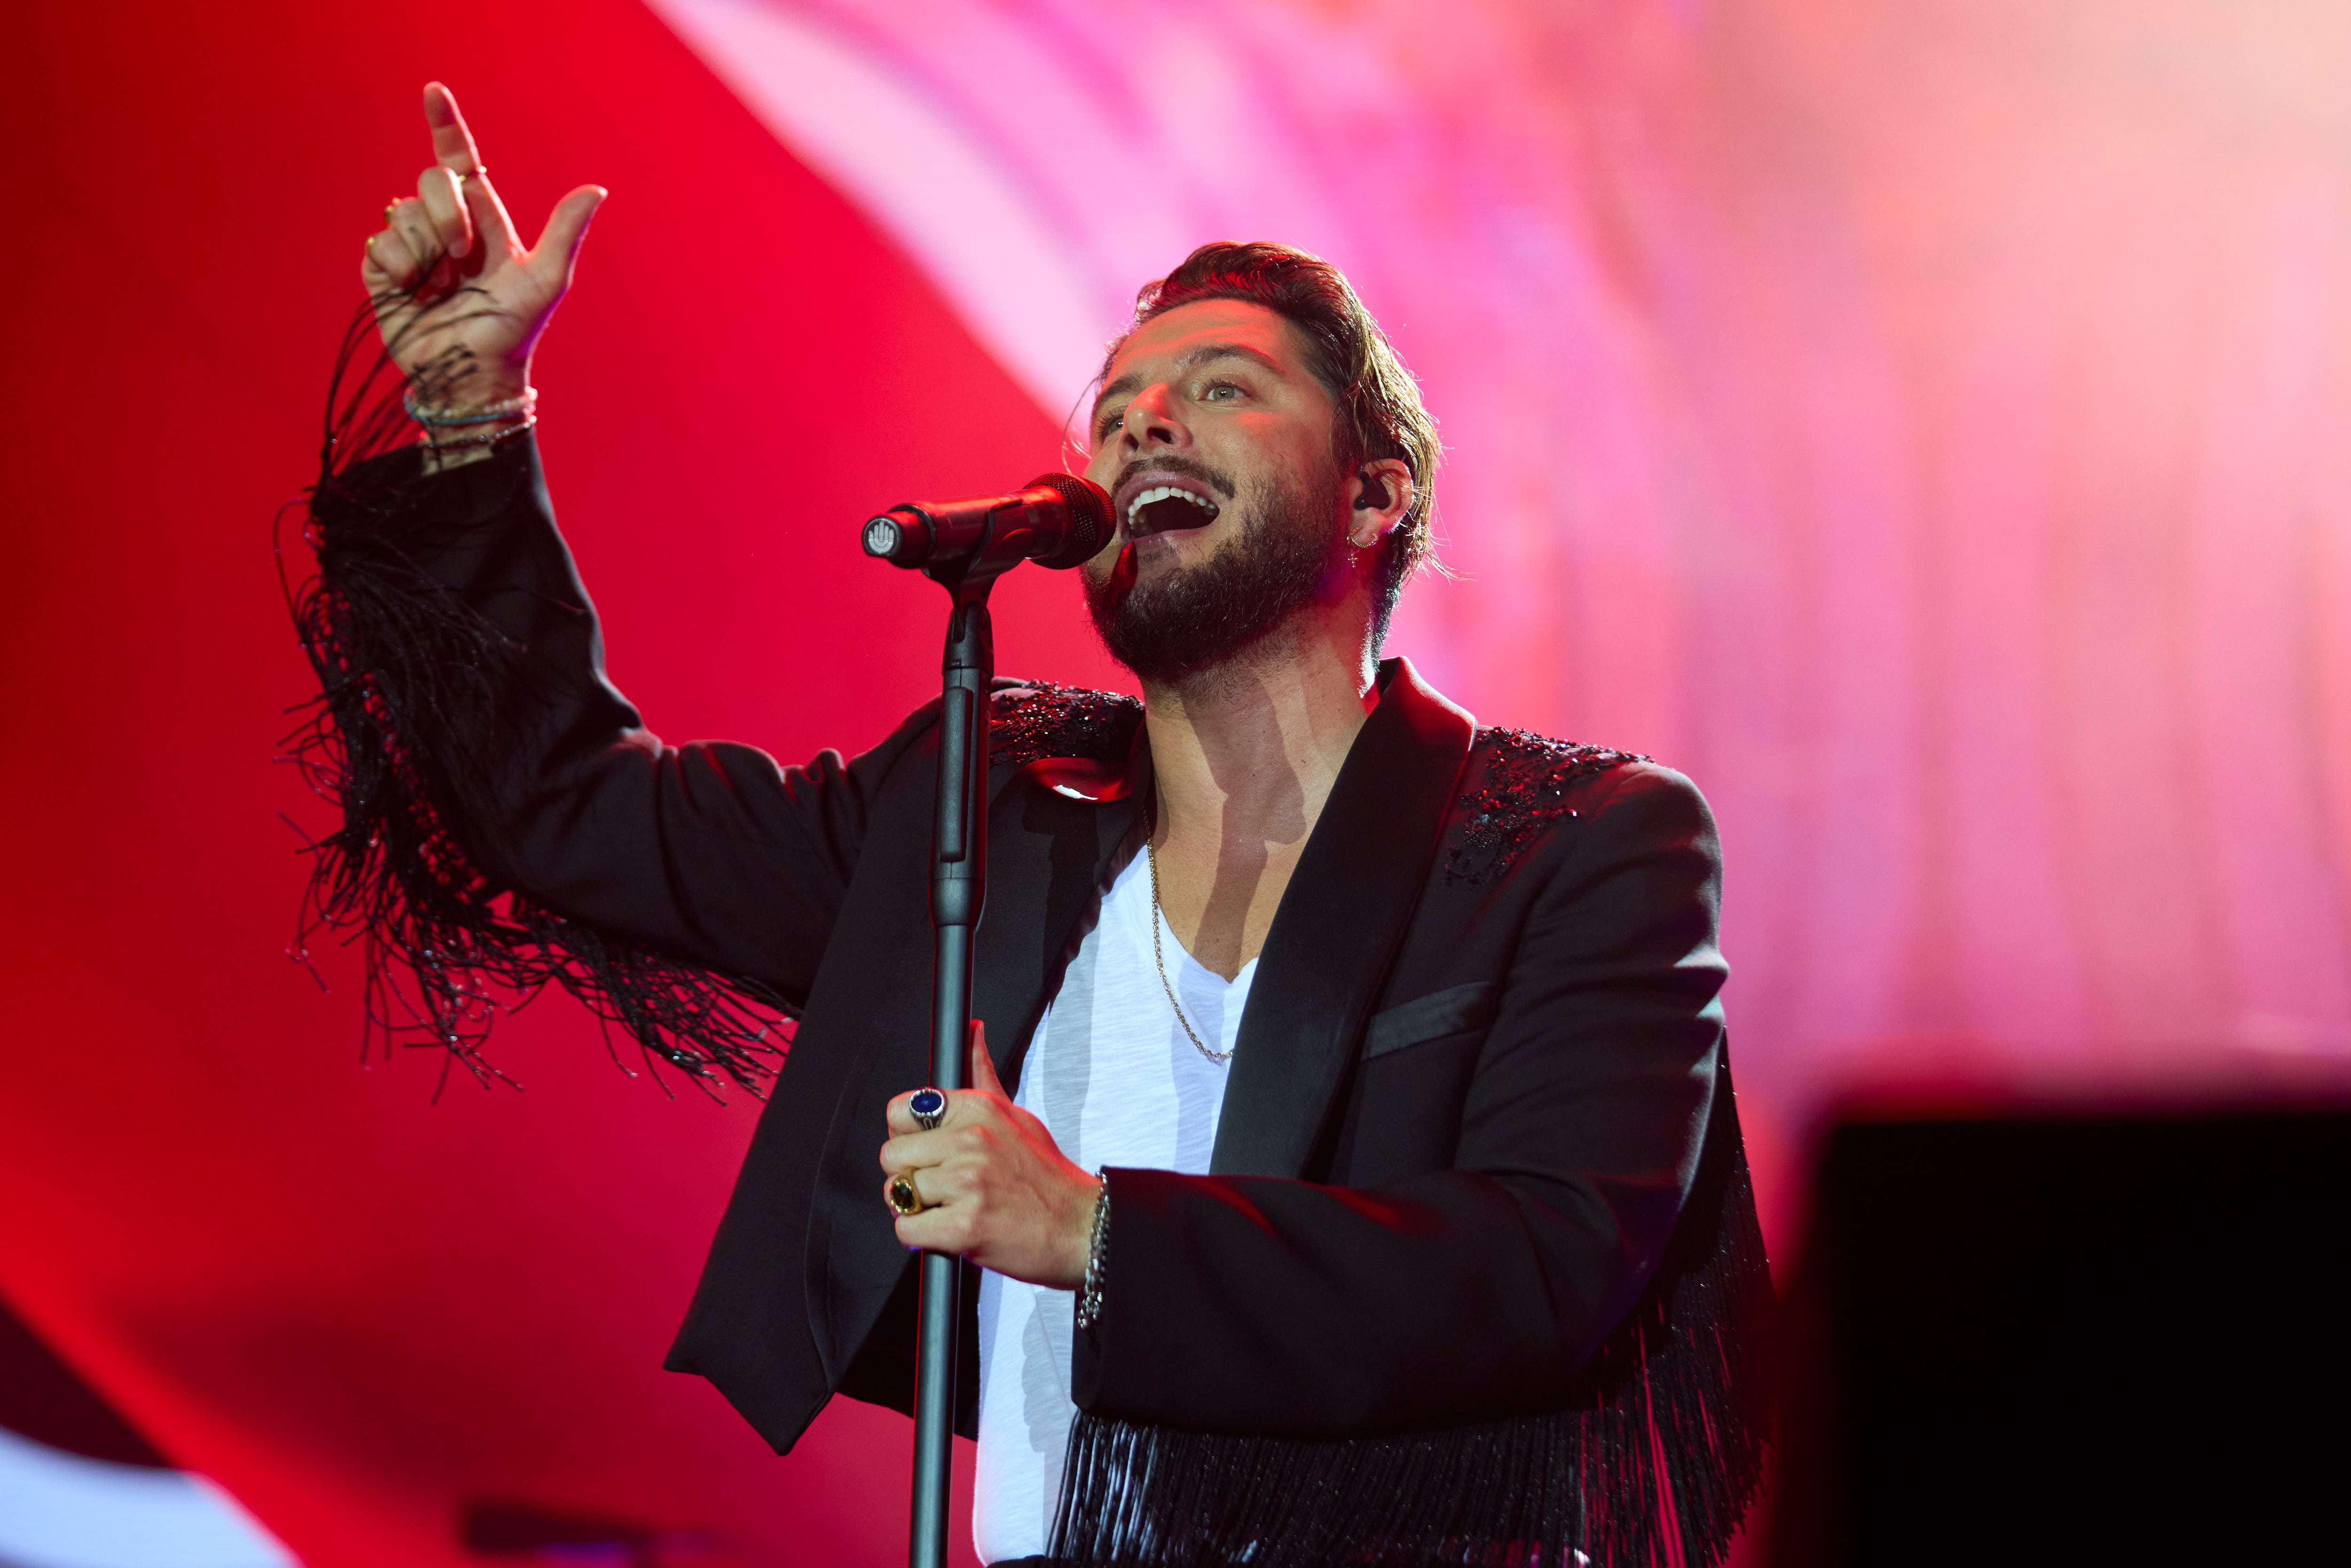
{"x":1339,"y":927}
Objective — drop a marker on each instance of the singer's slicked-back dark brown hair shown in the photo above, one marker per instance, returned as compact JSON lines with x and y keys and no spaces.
{"x":1379,"y":403}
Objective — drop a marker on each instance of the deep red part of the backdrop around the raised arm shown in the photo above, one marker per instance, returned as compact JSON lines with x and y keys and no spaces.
{"x":351,"y":1306}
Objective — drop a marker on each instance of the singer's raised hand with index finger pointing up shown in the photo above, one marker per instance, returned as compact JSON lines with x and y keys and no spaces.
{"x":457,"y":297}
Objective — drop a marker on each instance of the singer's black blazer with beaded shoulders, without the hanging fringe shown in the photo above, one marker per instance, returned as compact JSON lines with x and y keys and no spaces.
{"x":1478,"y":1073}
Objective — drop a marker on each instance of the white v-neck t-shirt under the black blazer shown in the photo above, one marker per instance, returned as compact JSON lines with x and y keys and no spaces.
{"x":1118,"y":1083}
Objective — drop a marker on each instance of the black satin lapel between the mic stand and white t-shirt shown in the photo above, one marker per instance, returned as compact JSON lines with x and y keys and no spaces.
{"x":1047,"y":857}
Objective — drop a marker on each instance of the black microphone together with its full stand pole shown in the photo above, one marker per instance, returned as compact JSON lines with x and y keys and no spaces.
{"x":965,"y":549}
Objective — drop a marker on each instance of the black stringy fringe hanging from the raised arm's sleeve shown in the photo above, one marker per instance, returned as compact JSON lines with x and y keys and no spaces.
{"x":406,"y":674}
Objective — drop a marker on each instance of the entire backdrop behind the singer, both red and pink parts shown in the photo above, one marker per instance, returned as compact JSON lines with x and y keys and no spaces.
{"x":1920,"y":422}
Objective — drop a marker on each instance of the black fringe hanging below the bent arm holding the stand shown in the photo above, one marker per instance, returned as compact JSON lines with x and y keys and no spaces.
{"x":1652,"y":1470}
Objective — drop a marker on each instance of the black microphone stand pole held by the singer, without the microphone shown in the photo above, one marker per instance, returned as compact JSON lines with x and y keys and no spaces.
{"x":958,"y":894}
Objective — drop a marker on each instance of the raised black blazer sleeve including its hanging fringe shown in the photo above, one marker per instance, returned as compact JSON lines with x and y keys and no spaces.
{"x":504,"y":822}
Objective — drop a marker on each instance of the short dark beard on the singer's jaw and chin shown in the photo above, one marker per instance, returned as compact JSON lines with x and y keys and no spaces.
{"x":1195,"y":619}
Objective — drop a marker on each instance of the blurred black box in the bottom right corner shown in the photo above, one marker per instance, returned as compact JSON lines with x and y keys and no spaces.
{"x":2087,"y":1341}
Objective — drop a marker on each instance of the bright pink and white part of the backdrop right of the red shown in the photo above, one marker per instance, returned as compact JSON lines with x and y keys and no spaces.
{"x":1927,"y":427}
